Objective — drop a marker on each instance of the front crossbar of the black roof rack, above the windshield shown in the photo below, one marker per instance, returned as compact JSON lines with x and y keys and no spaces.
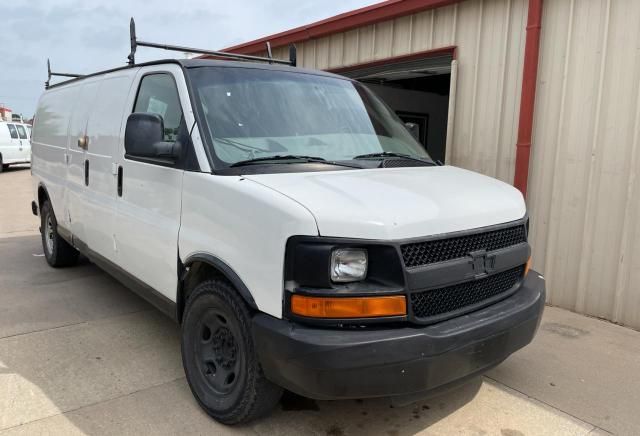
{"x":135,"y":43}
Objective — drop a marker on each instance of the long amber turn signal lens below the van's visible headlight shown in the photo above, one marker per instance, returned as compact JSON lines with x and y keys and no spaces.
{"x":348,"y":307}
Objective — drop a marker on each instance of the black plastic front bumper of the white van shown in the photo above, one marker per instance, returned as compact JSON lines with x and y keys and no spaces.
{"x":339,"y":364}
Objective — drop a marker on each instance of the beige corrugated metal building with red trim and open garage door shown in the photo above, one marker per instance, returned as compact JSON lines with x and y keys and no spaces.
{"x":542,"y":95}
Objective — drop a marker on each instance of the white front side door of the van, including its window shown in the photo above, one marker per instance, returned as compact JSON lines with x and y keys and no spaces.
{"x":149,"y":192}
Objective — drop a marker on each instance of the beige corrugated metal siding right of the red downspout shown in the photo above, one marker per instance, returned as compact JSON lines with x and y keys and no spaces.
{"x":584,"y":195}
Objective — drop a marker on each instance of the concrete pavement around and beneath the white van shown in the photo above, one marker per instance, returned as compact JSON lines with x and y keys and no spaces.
{"x":80,"y":354}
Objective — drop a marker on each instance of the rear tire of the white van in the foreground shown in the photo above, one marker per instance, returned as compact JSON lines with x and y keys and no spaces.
{"x":57,"y":251}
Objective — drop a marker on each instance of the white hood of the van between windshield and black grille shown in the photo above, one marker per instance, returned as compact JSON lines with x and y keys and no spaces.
{"x":398,"y":203}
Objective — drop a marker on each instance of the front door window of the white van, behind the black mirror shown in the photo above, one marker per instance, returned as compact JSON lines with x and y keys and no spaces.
{"x":158,"y":95}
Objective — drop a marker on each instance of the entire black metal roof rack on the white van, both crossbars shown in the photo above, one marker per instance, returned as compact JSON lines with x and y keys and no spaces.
{"x":135,"y":43}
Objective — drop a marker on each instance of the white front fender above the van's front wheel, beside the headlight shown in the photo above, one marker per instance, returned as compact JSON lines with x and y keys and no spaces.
{"x":245,"y":225}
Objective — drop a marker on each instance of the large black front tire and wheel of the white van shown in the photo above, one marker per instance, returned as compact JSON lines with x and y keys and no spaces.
{"x":219,"y":357}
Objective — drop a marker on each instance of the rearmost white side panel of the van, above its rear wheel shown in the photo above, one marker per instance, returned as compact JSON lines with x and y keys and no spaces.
{"x":49,"y":143}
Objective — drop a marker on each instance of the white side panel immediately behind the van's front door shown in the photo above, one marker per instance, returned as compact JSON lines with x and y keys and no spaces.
{"x":105,"y":133}
